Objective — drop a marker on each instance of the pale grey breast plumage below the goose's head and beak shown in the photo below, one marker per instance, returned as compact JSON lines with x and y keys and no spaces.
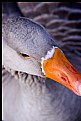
{"x":33,"y":98}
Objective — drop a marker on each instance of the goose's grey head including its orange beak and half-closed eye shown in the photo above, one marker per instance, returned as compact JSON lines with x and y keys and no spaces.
{"x":28,"y":47}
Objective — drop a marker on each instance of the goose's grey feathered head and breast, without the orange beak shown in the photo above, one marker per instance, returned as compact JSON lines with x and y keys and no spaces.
{"x":27,"y":95}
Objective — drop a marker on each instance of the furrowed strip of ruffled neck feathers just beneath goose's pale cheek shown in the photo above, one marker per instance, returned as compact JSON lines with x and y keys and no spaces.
{"x":23,"y":77}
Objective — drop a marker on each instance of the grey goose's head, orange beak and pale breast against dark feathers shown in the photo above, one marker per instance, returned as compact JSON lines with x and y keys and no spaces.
{"x":33,"y":62}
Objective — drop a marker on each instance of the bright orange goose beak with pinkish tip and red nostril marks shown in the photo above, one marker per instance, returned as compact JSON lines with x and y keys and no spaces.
{"x":58,"y":68}
